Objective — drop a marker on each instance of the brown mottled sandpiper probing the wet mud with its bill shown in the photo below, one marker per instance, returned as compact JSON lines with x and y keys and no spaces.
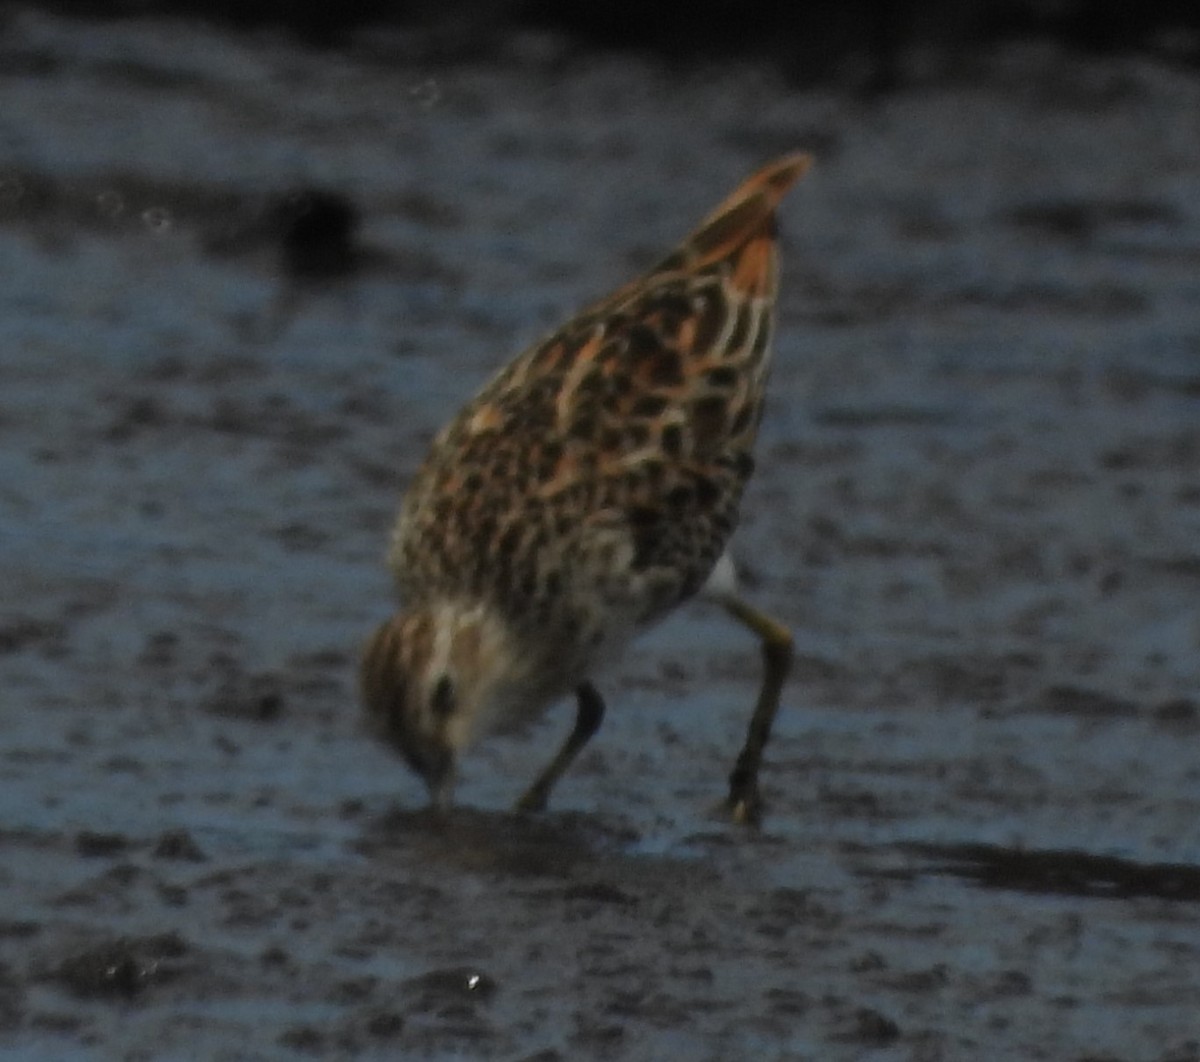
{"x":585,"y":494}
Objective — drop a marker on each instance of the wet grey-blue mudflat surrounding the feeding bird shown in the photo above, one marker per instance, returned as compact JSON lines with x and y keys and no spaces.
{"x":979,"y":507}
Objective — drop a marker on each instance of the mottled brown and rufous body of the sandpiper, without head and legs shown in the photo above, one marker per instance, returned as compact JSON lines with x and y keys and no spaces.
{"x":596,"y":481}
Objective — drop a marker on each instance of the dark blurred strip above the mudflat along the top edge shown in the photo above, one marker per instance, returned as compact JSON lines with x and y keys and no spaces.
{"x":813,"y":41}
